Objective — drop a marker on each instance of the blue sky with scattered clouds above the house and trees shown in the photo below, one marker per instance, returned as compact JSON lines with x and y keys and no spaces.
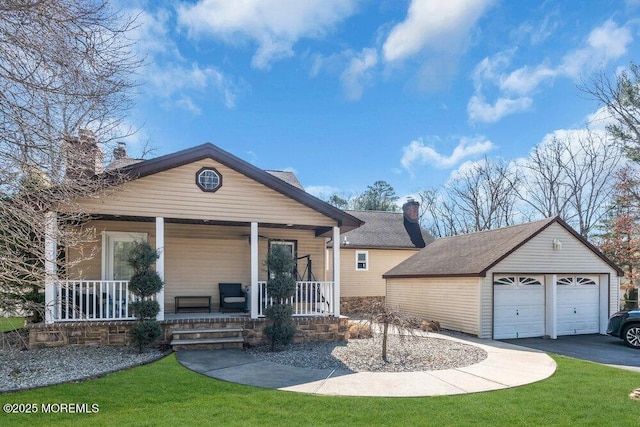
{"x":348,"y":92}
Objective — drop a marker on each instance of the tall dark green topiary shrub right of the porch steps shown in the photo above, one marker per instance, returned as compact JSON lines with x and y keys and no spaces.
{"x":280,"y":286}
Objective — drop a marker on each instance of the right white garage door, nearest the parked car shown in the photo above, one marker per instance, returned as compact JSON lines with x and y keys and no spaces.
{"x":578,"y":305}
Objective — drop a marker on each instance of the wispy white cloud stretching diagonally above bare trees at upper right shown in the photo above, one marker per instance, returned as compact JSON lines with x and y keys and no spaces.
{"x":604,"y":44}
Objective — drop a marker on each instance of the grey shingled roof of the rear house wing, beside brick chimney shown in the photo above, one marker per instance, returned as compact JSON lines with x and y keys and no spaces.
{"x":382,"y":229}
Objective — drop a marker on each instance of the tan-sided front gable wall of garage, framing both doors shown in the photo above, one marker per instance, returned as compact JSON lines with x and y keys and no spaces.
{"x":538,"y":256}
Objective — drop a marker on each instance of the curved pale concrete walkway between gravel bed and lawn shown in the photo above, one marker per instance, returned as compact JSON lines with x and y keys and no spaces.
{"x":507,"y":365}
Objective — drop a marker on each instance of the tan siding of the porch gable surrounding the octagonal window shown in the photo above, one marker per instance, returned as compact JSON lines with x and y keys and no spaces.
{"x":174,"y":194}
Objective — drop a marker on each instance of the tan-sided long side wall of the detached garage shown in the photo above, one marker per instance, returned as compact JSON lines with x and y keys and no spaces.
{"x":453,"y":302}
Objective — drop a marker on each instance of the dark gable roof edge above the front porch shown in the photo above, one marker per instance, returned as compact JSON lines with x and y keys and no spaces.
{"x":210,"y":151}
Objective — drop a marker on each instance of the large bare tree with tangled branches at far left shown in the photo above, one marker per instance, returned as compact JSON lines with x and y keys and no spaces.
{"x":66,"y":73}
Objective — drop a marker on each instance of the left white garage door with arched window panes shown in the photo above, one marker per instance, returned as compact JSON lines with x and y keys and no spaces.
{"x":518,"y":307}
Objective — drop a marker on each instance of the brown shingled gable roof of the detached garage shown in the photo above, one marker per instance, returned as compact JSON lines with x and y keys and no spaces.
{"x":473,"y":254}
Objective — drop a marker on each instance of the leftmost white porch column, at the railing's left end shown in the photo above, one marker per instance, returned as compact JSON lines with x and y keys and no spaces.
{"x":50,"y":265}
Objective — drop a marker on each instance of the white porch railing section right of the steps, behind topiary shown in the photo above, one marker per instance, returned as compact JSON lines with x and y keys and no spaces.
{"x":310,"y":298}
